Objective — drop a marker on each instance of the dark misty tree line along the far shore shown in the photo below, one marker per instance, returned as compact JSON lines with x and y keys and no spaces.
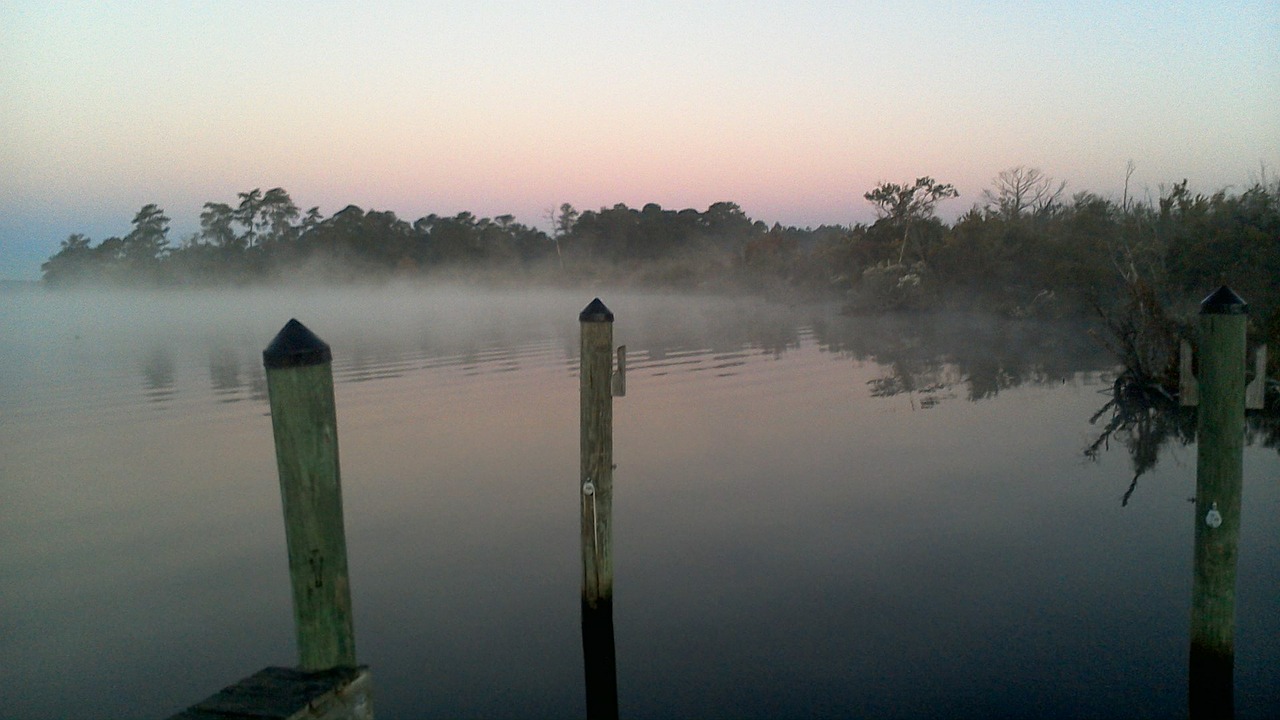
{"x":1025,"y":249}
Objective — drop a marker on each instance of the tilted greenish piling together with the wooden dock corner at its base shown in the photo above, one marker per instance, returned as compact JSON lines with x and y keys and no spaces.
{"x":327,"y":685}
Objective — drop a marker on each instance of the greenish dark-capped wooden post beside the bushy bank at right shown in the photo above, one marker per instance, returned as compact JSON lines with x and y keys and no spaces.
{"x":1219,"y":476}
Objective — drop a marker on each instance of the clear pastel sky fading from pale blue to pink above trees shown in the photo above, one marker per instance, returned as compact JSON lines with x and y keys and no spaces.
{"x":790,"y":110}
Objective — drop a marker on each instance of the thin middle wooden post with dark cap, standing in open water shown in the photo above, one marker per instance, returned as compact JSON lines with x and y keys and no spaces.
{"x":597,"y":386}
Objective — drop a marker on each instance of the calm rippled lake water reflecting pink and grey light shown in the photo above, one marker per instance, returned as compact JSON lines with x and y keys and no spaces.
{"x":815,"y":516}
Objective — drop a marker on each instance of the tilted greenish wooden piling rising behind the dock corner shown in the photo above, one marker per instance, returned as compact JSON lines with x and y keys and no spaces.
{"x":304,"y":420}
